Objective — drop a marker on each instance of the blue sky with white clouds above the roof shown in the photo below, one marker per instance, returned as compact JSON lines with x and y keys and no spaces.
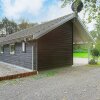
{"x":35,"y":11}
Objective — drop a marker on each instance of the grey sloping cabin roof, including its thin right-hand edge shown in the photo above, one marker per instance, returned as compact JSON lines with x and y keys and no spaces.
{"x":40,"y":30}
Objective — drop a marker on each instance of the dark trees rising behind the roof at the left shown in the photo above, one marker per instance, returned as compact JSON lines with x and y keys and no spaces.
{"x":11,"y":26}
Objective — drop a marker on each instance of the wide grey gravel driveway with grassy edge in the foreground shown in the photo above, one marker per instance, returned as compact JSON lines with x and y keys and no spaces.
{"x":70,"y":83}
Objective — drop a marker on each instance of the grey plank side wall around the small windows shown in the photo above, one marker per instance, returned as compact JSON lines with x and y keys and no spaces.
{"x":19,"y":58}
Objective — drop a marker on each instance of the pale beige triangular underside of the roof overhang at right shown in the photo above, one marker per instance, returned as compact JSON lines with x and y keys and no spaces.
{"x":80,"y":32}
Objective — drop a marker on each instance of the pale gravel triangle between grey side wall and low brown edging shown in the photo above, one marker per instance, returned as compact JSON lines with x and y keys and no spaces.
{"x":7,"y":69}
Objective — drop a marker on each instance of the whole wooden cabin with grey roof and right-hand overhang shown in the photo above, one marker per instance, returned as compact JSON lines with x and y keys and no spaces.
{"x":47,"y":45}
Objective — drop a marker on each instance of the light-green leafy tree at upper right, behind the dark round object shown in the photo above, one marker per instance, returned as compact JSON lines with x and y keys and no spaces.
{"x":92,"y":9}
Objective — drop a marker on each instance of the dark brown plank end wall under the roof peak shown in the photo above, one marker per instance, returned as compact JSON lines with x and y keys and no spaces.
{"x":55,"y":49}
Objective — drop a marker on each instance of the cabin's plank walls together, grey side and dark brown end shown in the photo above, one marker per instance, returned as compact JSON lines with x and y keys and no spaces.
{"x":54,"y":49}
